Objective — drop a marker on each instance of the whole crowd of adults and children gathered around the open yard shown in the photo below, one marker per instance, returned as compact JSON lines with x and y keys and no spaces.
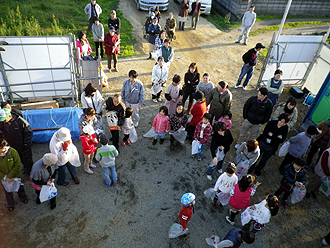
{"x":205,"y":119}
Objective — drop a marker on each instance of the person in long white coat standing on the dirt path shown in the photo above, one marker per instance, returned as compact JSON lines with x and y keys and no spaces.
{"x":159,"y":77}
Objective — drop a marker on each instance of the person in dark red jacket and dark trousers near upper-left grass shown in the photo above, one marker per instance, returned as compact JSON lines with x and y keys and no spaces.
{"x":111,"y":43}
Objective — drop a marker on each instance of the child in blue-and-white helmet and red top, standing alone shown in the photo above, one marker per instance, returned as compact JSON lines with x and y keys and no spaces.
{"x":188,"y":202}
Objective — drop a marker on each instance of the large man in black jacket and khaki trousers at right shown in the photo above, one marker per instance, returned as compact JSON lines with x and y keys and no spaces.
{"x":257,"y":111}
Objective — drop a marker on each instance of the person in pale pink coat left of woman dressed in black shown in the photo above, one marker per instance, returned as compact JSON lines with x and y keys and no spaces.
{"x":173,"y":94}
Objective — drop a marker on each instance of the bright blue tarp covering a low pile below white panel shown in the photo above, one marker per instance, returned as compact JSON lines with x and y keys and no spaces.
{"x":58,"y":117}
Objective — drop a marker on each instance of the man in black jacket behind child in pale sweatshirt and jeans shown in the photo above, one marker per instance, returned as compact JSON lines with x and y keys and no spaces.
{"x":115,"y":104}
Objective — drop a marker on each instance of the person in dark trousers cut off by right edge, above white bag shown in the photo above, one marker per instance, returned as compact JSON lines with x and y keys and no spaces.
{"x":322,"y":169}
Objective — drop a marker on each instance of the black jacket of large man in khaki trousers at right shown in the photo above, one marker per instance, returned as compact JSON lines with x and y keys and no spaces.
{"x":257,"y":112}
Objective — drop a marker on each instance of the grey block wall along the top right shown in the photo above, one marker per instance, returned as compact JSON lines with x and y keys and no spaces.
{"x":273,"y":7}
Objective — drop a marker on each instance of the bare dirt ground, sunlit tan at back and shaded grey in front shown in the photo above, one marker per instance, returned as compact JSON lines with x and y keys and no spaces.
{"x":151,"y":180}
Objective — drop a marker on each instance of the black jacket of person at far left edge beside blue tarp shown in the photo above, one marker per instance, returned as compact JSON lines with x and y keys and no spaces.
{"x":17,"y":132}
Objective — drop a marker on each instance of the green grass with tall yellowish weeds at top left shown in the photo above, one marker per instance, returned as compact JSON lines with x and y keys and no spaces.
{"x":59,"y":17}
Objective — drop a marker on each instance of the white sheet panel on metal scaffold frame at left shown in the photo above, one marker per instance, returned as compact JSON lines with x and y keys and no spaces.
{"x":30,"y":60}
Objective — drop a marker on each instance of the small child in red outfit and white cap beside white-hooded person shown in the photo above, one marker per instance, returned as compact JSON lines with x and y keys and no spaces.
{"x":89,"y":142}
